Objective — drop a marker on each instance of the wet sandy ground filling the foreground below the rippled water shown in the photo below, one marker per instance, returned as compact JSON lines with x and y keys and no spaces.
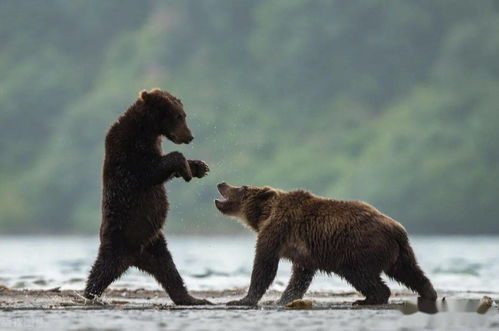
{"x":132,"y":309}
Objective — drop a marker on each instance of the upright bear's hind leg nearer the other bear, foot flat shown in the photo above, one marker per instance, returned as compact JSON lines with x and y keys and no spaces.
{"x":157,"y":261}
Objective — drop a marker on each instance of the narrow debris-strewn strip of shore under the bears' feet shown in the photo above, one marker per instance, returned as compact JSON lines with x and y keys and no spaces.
{"x":141,"y":299}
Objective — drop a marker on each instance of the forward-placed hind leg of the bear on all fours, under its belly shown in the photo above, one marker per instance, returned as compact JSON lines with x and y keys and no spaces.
{"x":371,"y":286}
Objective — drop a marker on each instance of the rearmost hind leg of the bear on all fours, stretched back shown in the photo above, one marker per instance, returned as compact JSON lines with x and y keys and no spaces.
{"x":407,"y":271}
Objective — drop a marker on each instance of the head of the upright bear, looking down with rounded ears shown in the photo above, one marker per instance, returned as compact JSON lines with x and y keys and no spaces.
{"x":166,"y":115}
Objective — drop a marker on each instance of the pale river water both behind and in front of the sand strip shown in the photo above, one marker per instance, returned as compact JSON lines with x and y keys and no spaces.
{"x":459,"y":267}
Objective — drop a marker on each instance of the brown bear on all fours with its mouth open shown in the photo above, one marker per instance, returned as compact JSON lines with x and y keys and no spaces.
{"x":348,"y":238}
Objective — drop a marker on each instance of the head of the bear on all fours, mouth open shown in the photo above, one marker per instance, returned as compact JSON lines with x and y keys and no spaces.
{"x":249,"y":204}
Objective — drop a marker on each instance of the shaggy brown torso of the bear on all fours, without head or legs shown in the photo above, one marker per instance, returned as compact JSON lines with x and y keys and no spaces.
{"x":330,"y":234}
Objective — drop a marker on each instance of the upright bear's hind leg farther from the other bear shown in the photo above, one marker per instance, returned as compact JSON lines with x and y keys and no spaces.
{"x":106,"y":269}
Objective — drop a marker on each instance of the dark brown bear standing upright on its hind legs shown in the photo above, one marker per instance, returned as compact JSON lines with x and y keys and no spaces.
{"x":134,"y":203}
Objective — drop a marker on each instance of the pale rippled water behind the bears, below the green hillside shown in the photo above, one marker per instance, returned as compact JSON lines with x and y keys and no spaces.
{"x":215,"y":263}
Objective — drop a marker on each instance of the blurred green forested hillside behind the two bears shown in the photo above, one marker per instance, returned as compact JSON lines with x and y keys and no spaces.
{"x":392,"y":102}
